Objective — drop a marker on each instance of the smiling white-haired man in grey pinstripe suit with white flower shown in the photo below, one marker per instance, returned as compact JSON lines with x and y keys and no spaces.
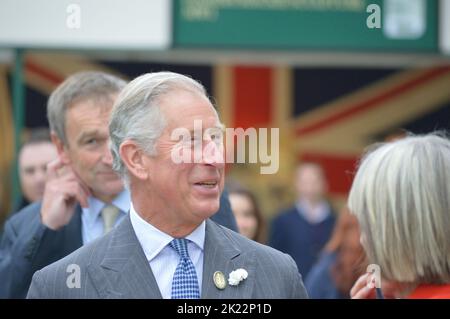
{"x":168,"y":247}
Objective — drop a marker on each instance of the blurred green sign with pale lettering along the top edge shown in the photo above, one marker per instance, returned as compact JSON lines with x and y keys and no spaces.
{"x":389,"y":25}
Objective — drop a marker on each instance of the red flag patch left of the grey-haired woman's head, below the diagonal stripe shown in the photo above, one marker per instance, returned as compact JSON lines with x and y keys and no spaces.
{"x":339,"y":170}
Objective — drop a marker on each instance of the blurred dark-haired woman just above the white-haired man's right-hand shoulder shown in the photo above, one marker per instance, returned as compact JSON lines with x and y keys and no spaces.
{"x":249,"y":218}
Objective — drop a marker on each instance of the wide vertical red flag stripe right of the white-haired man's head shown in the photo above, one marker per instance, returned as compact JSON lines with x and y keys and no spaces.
{"x":252,"y":96}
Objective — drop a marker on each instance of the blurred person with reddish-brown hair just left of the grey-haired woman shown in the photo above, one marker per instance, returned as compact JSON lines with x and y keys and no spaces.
{"x":341,"y":262}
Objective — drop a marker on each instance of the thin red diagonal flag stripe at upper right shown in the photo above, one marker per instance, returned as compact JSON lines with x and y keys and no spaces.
{"x":374,"y":101}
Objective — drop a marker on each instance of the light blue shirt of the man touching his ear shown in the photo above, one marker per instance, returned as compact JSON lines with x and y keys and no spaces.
{"x":92,"y":222}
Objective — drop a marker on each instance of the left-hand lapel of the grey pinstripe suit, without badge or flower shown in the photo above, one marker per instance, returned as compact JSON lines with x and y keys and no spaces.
{"x":124,"y":272}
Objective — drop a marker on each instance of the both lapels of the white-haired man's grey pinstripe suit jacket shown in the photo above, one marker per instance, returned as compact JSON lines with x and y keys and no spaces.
{"x":124,"y":272}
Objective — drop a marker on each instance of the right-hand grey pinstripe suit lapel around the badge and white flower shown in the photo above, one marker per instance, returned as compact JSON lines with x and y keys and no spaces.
{"x":222,"y":253}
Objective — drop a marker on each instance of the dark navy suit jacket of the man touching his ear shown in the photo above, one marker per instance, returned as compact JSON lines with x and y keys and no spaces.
{"x":27,"y":245}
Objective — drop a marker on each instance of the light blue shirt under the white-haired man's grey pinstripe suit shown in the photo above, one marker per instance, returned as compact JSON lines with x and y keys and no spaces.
{"x":162,"y":258}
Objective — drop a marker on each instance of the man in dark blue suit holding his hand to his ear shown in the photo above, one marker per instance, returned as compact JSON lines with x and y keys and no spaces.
{"x":80,"y":184}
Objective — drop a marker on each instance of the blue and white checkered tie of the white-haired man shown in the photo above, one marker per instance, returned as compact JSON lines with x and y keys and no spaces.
{"x":185,"y":283}
